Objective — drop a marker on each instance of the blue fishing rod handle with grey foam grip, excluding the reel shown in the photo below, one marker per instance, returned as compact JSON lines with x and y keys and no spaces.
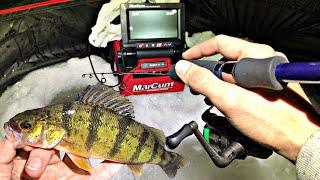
{"x":269,"y":73}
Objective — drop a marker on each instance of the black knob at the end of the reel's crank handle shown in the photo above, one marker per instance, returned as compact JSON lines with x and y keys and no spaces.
{"x":175,"y":139}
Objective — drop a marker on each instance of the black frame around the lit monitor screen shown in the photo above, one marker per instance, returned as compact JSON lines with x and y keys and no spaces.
{"x":125,"y":32}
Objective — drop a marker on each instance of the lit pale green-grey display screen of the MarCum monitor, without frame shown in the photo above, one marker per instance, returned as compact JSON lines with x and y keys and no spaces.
{"x":153,"y":24}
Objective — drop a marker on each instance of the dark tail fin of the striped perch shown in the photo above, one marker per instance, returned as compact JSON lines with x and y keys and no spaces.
{"x":174,"y":162}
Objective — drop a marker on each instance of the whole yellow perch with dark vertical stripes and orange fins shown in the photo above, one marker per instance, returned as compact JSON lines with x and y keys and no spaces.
{"x":99,"y":125}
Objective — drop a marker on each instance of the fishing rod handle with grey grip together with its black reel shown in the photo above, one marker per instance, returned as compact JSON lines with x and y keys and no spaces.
{"x":223,"y":142}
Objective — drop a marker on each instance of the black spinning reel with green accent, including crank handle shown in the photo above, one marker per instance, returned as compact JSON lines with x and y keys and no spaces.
{"x":222,"y":142}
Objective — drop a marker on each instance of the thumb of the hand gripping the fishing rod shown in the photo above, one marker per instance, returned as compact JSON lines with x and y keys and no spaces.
{"x":223,"y":95}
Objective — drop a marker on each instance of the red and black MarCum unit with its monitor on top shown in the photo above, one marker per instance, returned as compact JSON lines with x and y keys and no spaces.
{"x":153,"y":39}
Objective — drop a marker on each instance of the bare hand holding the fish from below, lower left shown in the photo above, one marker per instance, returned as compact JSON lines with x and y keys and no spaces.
{"x":19,"y":165}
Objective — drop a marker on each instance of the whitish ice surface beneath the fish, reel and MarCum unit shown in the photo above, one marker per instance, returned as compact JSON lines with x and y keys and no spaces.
{"x":164,"y":111}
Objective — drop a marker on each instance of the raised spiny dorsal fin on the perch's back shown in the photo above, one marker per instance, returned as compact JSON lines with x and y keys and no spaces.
{"x":106,"y":97}
